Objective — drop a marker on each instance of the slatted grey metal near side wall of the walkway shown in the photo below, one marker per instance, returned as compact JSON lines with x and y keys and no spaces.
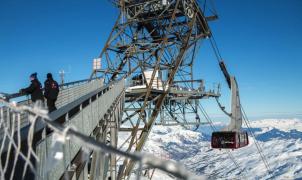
{"x":103,"y":106}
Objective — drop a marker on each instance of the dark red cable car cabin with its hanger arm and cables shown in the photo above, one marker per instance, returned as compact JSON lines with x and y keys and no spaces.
{"x":232,"y":137}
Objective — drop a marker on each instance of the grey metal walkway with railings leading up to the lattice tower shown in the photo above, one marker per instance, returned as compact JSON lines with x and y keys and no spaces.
{"x":89,"y":107}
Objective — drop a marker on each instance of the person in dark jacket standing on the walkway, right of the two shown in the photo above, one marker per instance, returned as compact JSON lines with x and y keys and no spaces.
{"x":51,"y":92}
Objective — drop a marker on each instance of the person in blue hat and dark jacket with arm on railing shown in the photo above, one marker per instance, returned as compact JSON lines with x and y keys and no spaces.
{"x":34,"y":89}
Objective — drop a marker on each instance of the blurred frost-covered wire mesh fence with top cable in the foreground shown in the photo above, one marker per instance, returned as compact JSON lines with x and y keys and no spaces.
{"x":21,"y":158}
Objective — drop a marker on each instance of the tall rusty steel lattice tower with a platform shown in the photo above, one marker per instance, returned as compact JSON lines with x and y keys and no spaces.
{"x":160,"y":37}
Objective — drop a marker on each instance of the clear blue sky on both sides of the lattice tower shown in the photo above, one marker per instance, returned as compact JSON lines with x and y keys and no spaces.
{"x":260,"y":41}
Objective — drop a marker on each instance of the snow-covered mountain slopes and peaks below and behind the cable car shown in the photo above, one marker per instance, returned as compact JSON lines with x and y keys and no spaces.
{"x":280,"y":139}
